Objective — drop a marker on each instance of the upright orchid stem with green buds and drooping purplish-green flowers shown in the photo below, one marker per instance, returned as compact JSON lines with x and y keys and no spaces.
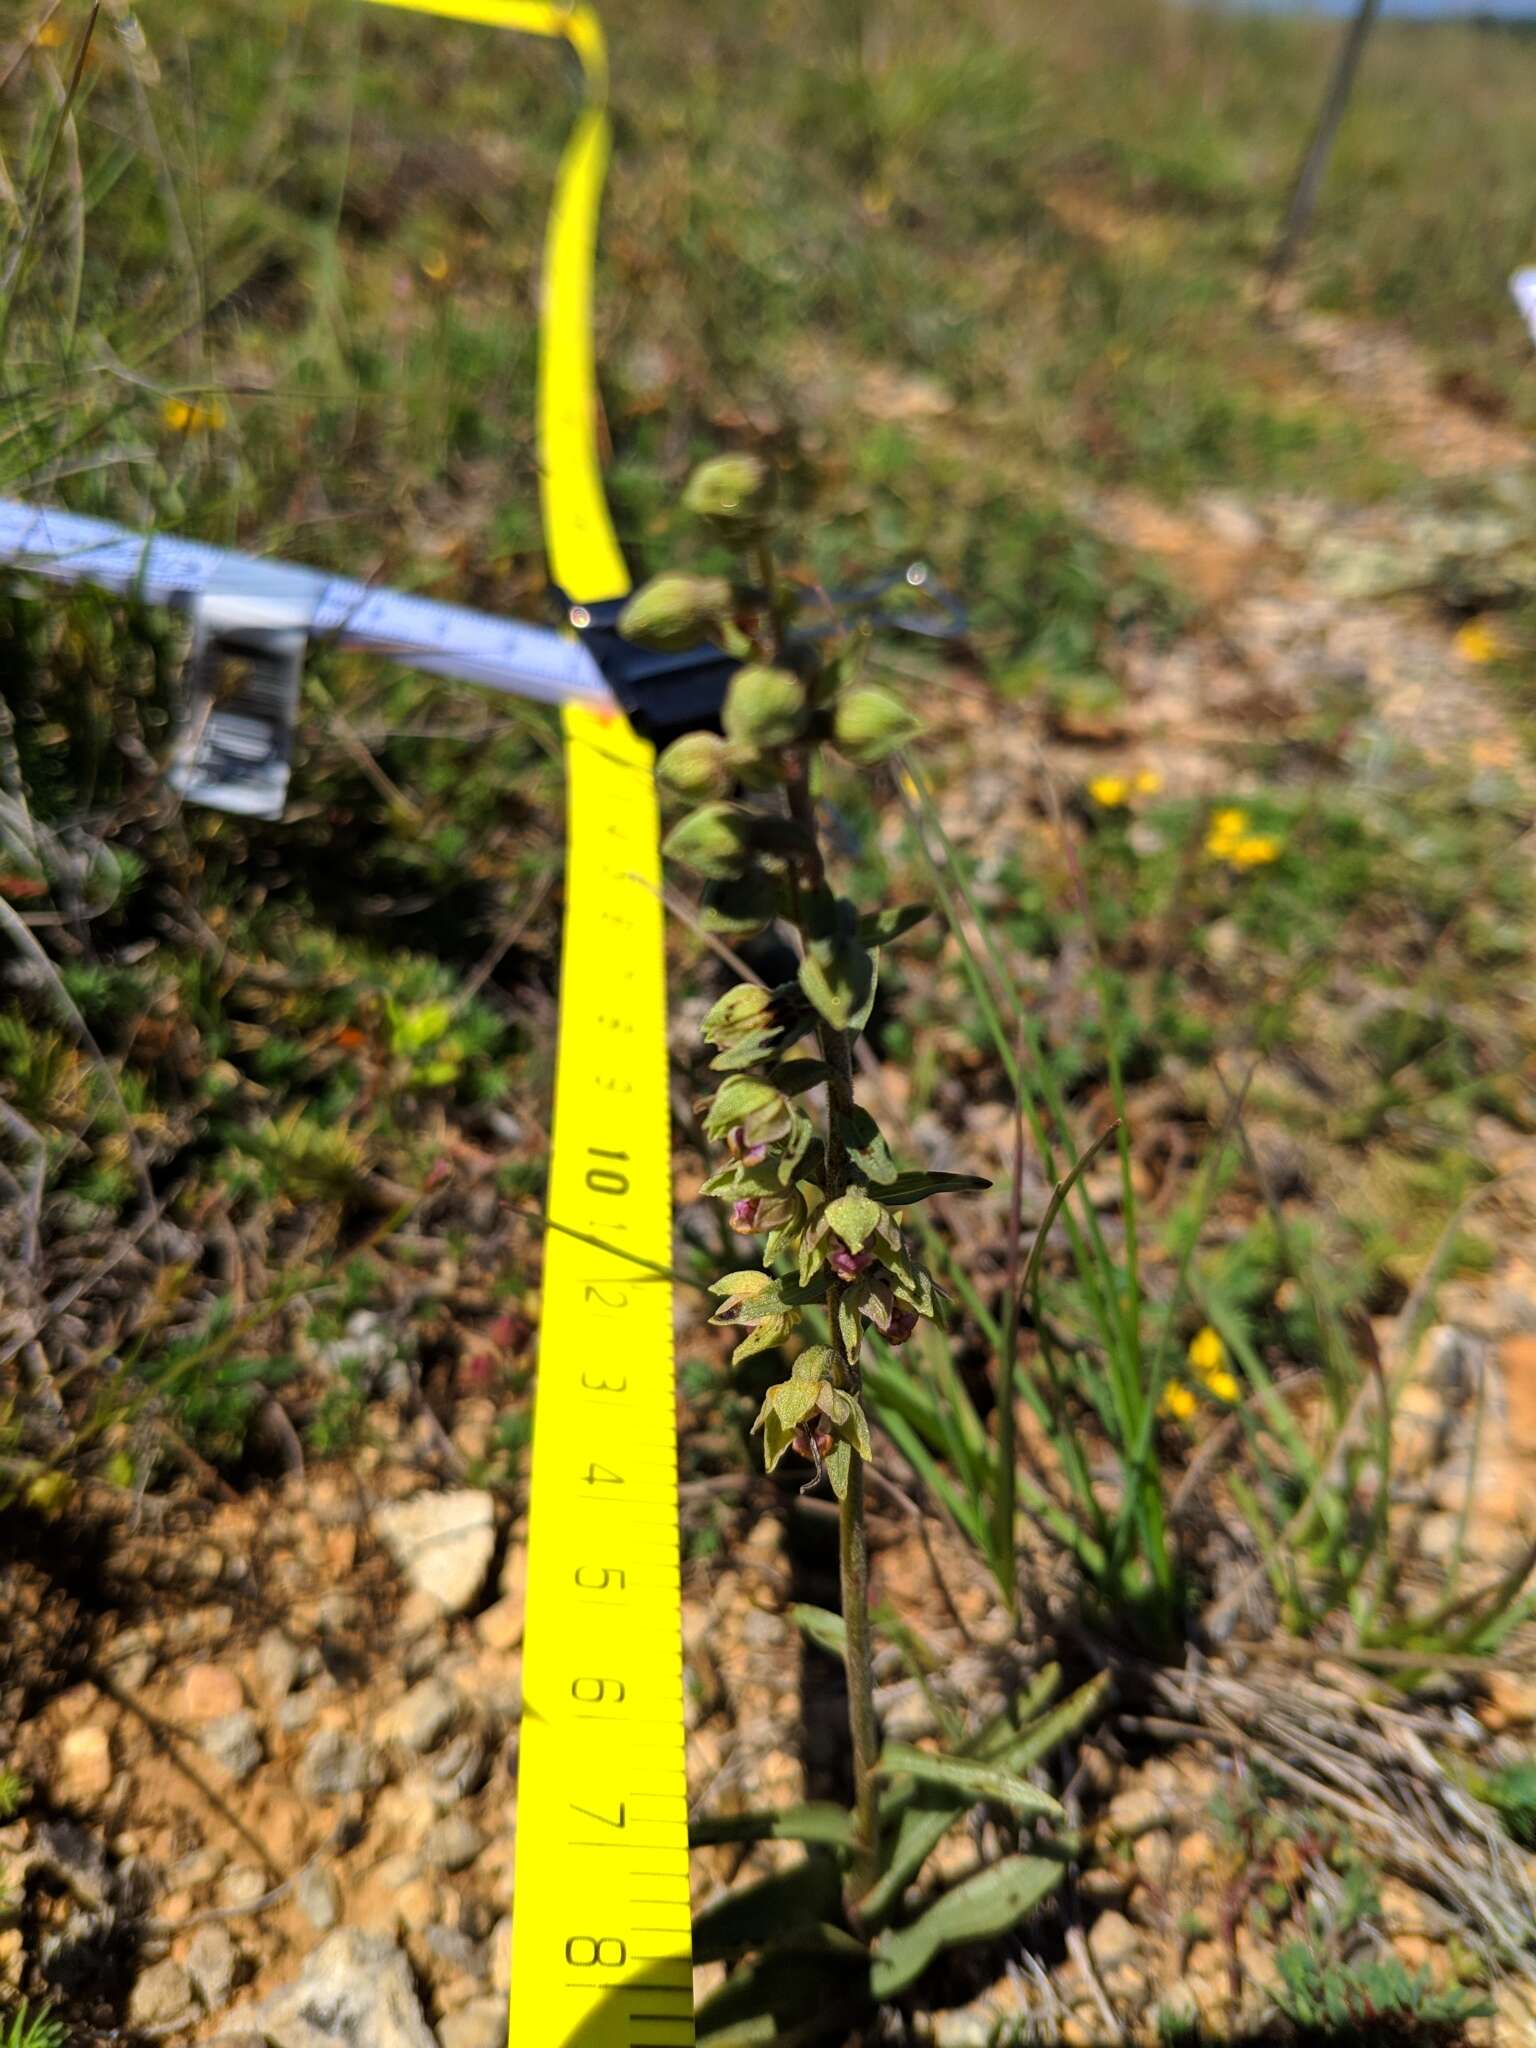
{"x":806,"y":1168}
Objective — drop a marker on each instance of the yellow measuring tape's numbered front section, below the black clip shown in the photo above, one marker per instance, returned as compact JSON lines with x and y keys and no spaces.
{"x":601,"y":1953}
